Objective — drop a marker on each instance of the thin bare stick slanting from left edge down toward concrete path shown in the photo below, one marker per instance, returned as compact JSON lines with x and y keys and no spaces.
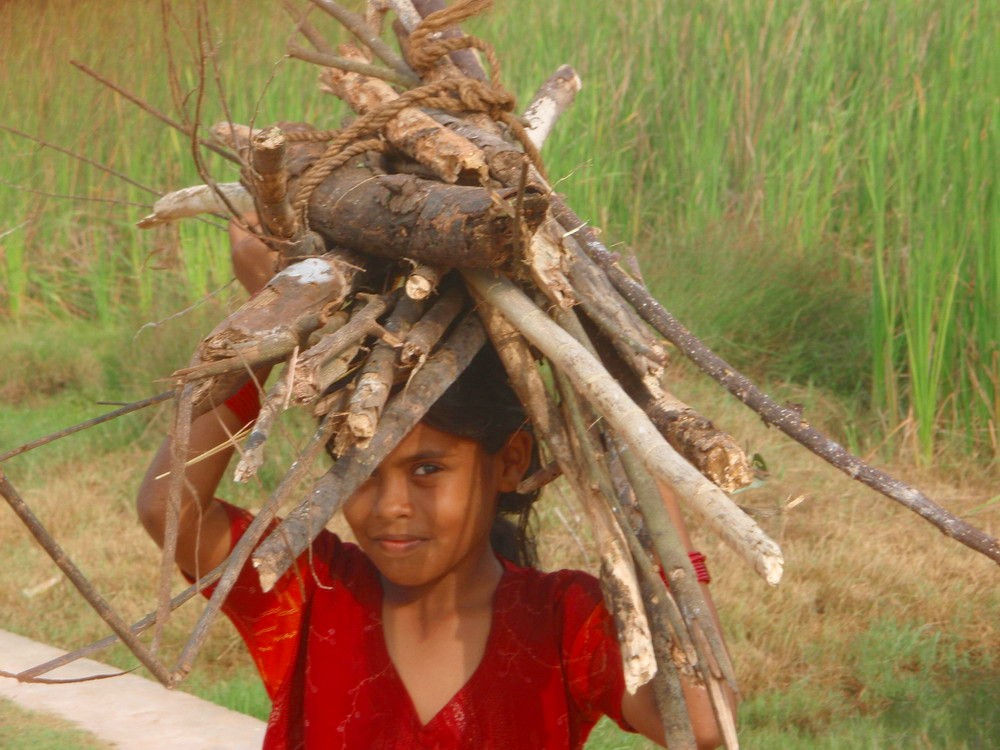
{"x":95,"y":600}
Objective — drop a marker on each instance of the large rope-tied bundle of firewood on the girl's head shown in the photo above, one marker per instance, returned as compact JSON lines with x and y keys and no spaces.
{"x":406,"y":240}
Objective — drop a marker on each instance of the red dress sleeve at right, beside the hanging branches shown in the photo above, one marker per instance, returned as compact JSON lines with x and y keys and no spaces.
{"x":591,"y":657}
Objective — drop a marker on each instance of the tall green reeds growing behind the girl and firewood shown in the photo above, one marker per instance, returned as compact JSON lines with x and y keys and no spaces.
{"x":840,"y":155}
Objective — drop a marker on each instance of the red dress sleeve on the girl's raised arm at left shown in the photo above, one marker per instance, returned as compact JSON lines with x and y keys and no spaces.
{"x":270,"y":622}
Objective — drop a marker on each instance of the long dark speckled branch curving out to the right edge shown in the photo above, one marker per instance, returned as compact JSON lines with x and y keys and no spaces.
{"x":787,"y":420}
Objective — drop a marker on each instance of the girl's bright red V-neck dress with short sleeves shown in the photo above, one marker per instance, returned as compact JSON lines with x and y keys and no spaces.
{"x":551,"y":668}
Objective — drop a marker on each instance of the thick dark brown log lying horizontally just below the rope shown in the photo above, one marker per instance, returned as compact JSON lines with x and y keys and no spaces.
{"x":403,"y":216}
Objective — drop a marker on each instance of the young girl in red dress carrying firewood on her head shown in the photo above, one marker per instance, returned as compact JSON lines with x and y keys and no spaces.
{"x":434,"y":631}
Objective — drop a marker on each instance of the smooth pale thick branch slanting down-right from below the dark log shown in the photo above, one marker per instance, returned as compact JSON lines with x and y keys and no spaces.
{"x":631,"y":423}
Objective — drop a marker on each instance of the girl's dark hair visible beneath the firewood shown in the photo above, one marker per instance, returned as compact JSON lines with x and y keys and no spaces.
{"x":481,"y":405}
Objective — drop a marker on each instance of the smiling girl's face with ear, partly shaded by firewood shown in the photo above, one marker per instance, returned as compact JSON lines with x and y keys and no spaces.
{"x":427,"y":510}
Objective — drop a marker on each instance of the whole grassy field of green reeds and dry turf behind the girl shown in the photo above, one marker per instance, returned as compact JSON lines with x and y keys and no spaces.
{"x":810,"y":186}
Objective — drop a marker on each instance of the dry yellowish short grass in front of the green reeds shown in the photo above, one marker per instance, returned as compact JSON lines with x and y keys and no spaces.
{"x":861,"y":573}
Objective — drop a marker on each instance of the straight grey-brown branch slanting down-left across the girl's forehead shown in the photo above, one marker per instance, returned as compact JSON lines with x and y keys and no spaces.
{"x":283,"y":546}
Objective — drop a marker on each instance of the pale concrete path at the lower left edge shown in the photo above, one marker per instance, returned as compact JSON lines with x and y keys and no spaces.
{"x":130,"y":712}
